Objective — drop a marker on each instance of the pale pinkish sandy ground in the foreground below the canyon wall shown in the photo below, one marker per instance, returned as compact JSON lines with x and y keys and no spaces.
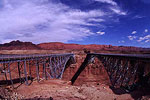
{"x":62,"y":90}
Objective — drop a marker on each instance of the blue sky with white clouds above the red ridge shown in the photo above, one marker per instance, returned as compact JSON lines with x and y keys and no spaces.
{"x":109,"y":22}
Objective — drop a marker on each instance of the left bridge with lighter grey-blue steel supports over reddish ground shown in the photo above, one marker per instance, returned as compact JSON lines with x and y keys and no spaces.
{"x":51,"y":65}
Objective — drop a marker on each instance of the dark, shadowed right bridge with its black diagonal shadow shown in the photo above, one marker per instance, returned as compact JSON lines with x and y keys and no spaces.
{"x":124,"y":70}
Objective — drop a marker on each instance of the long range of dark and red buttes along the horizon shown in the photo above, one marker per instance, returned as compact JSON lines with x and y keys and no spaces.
{"x":19,"y":45}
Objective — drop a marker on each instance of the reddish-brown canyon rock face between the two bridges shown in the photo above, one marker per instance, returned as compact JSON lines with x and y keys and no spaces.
{"x":94,"y":72}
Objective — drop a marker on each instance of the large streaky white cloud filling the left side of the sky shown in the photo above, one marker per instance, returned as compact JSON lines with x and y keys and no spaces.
{"x":44,"y":21}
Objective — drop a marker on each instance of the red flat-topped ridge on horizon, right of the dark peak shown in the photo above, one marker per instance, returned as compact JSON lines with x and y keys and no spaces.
{"x":93,"y":47}
